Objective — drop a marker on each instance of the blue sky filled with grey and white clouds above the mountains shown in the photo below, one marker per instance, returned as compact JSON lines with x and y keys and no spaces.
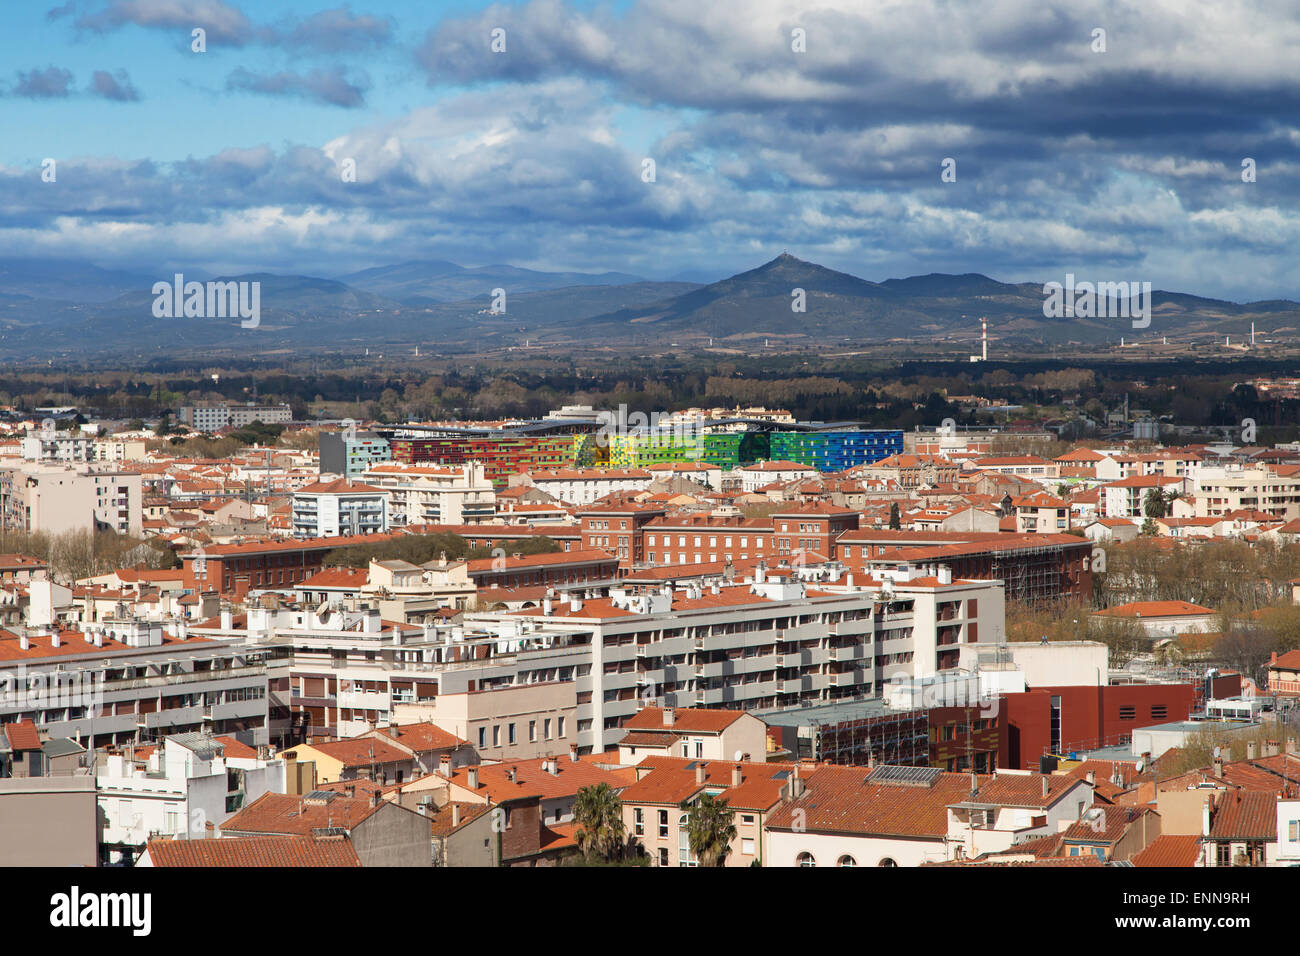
{"x":824,"y":129}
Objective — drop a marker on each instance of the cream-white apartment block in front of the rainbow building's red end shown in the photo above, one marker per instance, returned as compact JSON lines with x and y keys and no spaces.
{"x":435,"y":495}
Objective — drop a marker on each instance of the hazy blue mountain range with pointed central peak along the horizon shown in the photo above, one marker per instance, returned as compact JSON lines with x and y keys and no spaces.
{"x":50,"y":308}
